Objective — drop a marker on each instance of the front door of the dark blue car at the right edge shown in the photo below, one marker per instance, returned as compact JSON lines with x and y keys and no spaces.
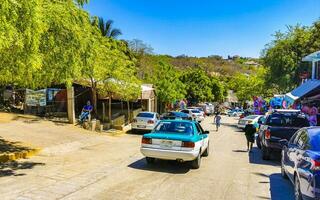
{"x":291,"y":154}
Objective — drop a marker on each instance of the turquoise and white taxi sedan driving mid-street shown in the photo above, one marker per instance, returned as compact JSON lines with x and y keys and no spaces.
{"x":179,"y":140}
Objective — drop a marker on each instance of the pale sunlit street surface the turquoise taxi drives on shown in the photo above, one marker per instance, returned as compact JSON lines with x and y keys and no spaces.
{"x":105,"y":167}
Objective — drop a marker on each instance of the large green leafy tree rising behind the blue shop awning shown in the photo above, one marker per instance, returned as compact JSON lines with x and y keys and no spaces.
{"x":284,"y":54}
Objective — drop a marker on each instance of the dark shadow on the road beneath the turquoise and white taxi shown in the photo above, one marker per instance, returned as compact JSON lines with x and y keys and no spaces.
{"x":170,"y":167}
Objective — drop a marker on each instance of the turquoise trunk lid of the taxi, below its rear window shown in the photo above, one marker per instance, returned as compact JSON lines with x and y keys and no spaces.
{"x":172,"y":136}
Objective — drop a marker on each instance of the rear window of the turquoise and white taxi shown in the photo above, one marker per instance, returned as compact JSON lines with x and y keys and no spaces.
{"x":174,"y":127}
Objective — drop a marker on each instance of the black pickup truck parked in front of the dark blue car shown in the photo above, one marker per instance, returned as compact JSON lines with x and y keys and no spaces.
{"x":281,"y":124}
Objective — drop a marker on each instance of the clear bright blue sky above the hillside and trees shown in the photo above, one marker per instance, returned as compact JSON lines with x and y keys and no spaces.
{"x":205,"y":27}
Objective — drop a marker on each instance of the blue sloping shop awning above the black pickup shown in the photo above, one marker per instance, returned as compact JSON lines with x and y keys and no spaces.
{"x":302,"y":90}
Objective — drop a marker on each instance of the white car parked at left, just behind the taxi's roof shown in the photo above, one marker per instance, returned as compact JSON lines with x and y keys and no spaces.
{"x":145,"y":121}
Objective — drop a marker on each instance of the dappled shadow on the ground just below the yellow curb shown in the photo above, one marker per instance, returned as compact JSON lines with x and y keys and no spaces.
{"x":11,"y":168}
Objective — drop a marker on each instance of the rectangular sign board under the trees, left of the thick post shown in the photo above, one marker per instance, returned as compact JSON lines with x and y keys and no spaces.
{"x":36,"y":98}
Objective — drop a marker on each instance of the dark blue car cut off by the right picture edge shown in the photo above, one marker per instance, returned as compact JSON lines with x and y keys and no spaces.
{"x":301,"y":162}
